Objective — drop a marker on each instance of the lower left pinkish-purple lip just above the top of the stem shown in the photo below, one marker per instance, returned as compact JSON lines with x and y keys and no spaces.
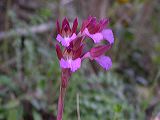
{"x":72,"y":64}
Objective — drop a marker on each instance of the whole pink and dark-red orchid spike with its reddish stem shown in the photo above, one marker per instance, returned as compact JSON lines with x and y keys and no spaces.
{"x":73,"y":43}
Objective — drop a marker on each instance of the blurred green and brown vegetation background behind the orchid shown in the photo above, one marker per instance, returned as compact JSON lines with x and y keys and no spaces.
{"x":29,"y":69}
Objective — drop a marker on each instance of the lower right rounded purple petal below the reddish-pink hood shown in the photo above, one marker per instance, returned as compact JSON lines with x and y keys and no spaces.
{"x":104,"y":61}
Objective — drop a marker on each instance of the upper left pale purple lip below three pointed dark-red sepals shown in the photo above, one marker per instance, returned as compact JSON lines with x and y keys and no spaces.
{"x":66,"y":40}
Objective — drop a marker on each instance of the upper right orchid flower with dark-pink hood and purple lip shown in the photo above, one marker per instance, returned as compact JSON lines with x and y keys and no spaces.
{"x":96,"y":30}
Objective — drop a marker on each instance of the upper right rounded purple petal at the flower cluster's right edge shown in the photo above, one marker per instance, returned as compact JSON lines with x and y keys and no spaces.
{"x":108,"y":35}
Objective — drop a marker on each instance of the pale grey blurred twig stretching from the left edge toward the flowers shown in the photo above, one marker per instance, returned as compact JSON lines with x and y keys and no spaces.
{"x":27,"y":31}
